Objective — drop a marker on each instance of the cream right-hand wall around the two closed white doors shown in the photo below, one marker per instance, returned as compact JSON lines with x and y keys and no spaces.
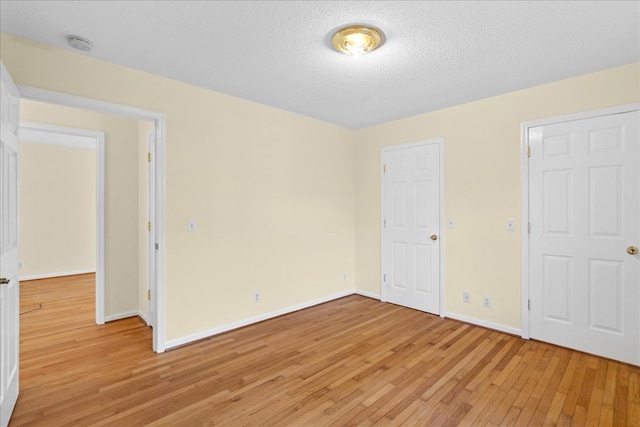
{"x":481,"y":185}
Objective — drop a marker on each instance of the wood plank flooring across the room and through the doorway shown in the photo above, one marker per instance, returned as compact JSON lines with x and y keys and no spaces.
{"x":353,"y":361}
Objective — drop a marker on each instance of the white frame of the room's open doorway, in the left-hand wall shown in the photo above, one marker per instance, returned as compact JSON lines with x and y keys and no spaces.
{"x":159,"y":119}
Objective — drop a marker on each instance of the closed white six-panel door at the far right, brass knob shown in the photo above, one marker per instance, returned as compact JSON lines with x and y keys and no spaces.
{"x":584,"y":193}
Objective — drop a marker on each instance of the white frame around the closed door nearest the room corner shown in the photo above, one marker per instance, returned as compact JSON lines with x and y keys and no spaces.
{"x":383,"y":151}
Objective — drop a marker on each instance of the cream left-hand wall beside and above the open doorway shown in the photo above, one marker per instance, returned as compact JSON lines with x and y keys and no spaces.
{"x":272,"y":192}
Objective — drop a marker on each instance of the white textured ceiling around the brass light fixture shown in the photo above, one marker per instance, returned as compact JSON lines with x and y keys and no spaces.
{"x":436,"y":55}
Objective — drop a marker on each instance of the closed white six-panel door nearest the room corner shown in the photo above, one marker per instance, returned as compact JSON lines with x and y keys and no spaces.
{"x":411,"y":226}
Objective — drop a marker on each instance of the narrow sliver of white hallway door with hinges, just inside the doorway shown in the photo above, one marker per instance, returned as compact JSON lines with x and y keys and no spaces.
{"x":151,"y":240}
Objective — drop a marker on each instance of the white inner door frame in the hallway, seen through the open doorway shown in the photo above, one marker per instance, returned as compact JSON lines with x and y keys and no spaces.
{"x":83,"y":138}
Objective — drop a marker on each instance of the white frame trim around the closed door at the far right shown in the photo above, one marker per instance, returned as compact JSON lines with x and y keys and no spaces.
{"x":524,"y":191}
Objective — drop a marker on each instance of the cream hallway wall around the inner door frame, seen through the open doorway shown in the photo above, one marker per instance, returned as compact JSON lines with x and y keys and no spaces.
{"x":121,"y":195}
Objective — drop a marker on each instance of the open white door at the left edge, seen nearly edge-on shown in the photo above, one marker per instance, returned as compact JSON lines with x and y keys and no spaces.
{"x":9,"y":287}
